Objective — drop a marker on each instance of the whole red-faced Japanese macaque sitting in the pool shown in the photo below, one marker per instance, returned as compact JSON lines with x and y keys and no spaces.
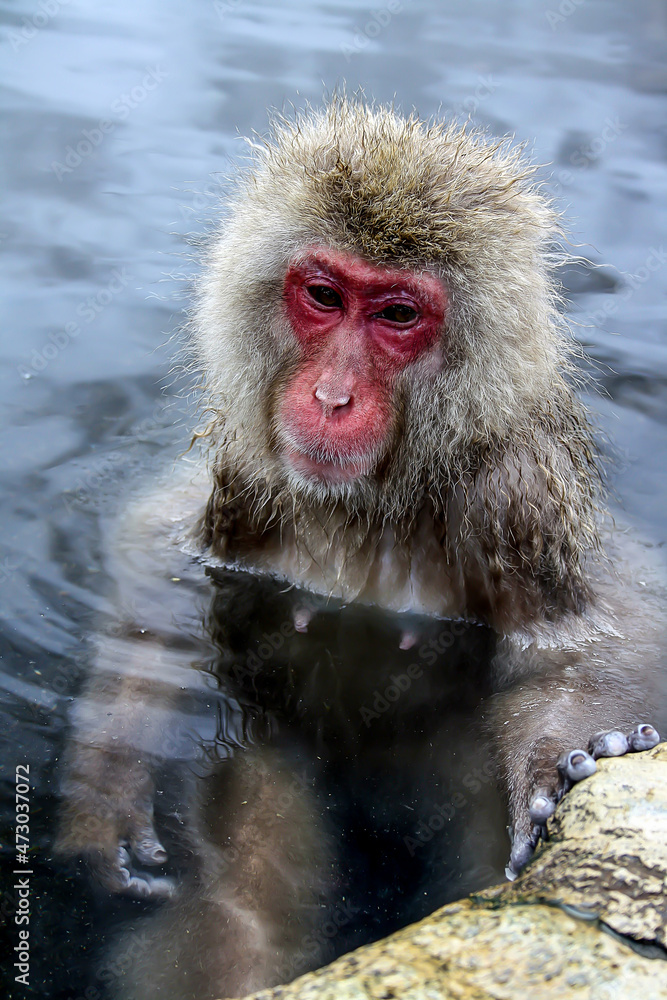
{"x":393,"y":432}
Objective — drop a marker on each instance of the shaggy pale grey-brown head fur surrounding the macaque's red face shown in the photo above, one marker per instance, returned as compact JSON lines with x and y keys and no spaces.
{"x":442,"y":198}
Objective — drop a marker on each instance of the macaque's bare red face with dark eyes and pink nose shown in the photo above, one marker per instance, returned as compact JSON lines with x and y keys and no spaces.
{"x":358,"y":326}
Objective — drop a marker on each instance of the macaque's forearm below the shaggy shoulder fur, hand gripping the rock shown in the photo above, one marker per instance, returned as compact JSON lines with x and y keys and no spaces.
{"x":584,"y":686}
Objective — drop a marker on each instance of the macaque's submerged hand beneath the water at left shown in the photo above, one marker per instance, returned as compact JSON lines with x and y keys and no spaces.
{"x":107,"y":819}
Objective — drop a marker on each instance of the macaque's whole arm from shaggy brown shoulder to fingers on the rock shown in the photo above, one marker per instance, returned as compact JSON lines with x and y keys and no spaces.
{"x":582,"y":623}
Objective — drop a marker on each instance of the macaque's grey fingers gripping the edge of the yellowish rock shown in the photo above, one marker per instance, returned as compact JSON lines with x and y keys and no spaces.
{"x":550,"y":785}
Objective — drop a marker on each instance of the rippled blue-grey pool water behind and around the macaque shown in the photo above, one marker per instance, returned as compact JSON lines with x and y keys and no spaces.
{"x":121,"y":121}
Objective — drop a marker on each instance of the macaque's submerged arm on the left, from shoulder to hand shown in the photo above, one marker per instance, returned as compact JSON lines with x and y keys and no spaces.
{"x":126,"y":722}
